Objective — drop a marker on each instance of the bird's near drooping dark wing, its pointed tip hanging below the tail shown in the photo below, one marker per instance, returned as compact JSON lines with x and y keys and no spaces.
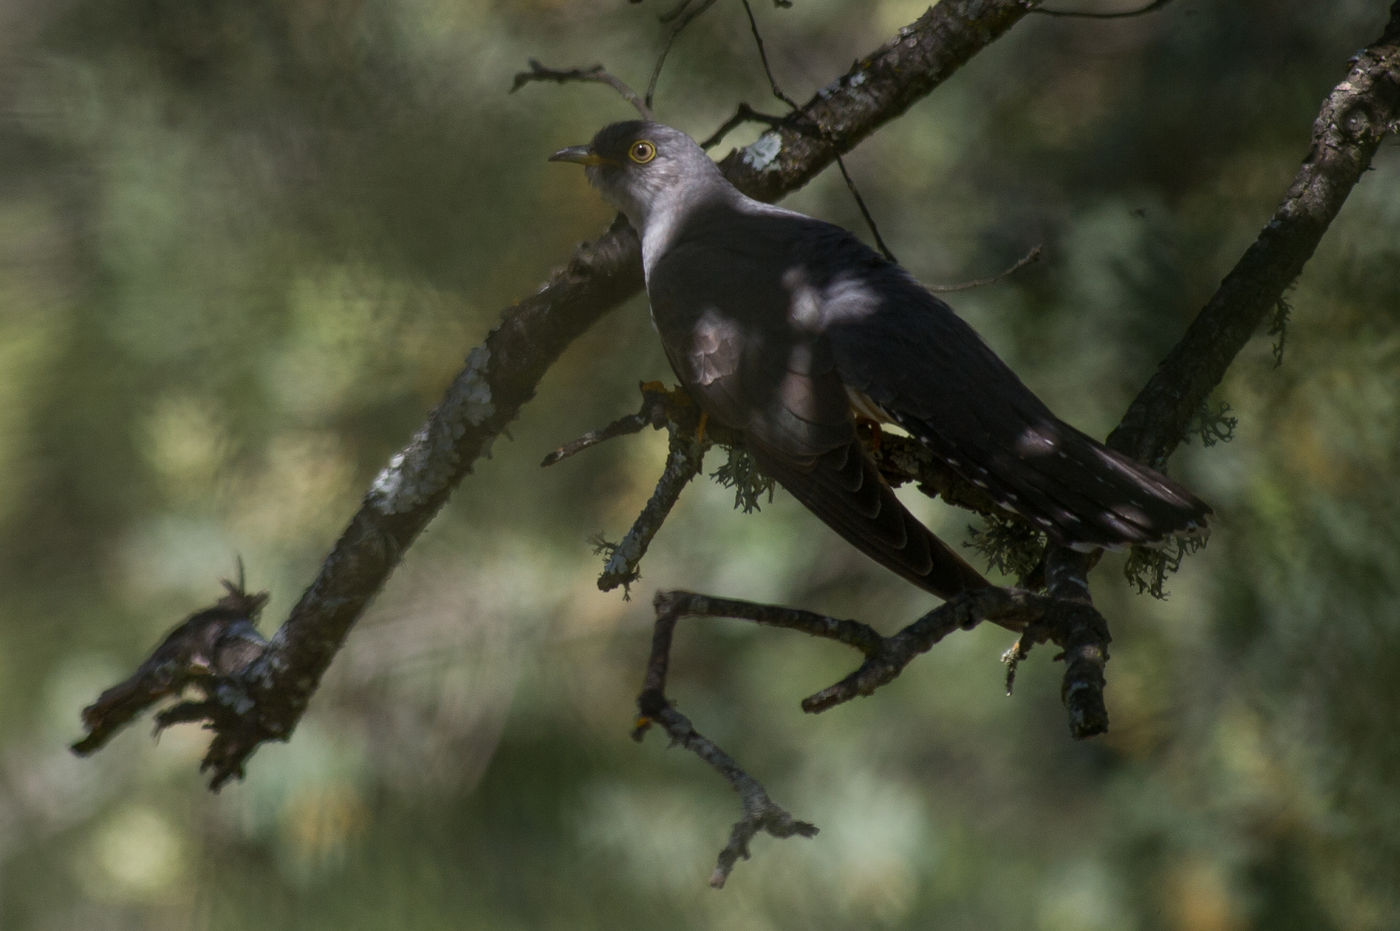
{"x":738,"y":323}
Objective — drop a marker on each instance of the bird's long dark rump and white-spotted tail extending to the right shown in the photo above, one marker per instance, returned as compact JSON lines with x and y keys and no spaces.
{"x":932,"y":374}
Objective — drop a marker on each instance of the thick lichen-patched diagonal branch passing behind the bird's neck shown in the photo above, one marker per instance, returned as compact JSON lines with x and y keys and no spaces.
{"x":503,"y":373}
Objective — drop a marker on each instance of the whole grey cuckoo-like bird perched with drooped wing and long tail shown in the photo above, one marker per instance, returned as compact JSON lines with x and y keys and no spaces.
{"x":785,"y":328}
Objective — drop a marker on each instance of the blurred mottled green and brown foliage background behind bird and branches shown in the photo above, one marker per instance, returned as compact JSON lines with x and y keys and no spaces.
{"x":244,"y":246}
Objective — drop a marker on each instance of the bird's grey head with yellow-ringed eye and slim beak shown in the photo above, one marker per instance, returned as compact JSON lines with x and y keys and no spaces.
{"x":645,"y":169}
